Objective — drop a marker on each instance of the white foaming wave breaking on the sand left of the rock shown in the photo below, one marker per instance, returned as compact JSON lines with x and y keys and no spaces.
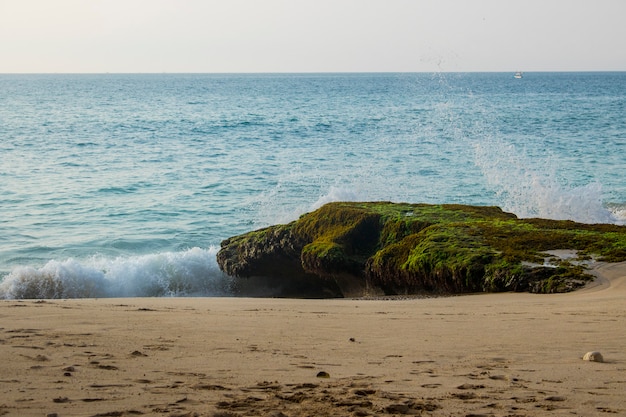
{"x":193,"y":272}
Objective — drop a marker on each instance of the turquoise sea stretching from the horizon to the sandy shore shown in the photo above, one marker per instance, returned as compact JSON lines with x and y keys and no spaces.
{"x":124,"y":185}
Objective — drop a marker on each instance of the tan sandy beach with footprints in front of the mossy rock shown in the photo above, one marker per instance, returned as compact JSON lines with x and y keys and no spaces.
{"x":476,"y":355}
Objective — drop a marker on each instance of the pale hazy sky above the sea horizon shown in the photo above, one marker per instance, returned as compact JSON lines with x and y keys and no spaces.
{"x":311,"y":35}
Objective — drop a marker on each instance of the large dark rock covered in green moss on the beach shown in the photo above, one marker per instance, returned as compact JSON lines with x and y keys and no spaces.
{"x":352,"y":248}
